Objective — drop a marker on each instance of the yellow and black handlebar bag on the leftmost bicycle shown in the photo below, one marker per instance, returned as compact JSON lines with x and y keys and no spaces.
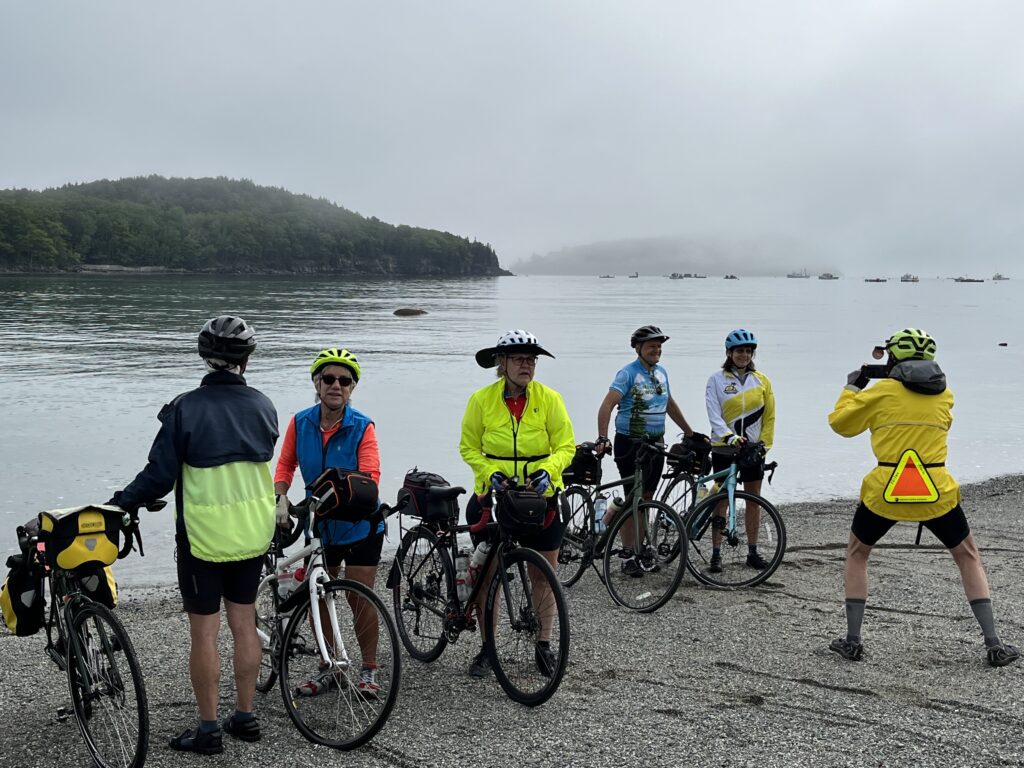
{"x":81,"y":537}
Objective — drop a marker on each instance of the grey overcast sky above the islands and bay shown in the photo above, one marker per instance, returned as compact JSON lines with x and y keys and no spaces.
{"x":874,"y":132}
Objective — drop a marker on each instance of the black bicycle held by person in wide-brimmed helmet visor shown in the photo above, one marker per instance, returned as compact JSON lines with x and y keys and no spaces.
{"x":524,"y":601}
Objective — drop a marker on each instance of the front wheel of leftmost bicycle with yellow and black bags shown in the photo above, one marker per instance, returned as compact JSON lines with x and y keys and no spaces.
{"x":107,"y":689}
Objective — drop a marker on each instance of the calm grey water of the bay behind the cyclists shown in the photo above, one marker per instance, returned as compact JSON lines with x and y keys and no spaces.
{"x":87,"y":362}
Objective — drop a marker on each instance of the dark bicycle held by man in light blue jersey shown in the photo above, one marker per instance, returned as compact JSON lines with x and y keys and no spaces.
{"x":663,"y":537}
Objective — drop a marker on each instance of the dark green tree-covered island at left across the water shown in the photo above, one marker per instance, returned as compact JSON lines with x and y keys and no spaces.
{"x":219,"y":226}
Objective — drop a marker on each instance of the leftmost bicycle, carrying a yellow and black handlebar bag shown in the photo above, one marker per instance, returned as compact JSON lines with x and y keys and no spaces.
{"x":84,"y":638}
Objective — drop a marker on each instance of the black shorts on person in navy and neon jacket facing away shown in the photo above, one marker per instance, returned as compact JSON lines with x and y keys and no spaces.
{"x":203,"y":584}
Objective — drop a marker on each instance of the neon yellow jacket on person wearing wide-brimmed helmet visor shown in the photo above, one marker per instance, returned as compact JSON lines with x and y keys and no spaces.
{"x":490,"y":429}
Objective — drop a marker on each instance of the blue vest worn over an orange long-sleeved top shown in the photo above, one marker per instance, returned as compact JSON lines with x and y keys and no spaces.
{"x":342,"y":451}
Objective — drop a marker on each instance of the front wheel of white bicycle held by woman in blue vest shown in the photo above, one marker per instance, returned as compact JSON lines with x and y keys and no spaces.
{"x":345,"y":702}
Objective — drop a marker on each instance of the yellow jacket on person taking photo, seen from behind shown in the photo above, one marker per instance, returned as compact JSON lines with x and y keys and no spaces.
{"x":901,"y":420}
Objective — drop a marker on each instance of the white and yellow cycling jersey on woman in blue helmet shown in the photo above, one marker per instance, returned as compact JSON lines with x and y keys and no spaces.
{"x":741,"y":405}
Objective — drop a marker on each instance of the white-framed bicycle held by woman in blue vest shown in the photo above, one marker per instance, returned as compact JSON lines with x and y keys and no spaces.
{"x":352,"y":697}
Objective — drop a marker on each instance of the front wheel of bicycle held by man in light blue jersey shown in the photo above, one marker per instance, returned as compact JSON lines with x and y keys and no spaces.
{"x":644,"y":559}
